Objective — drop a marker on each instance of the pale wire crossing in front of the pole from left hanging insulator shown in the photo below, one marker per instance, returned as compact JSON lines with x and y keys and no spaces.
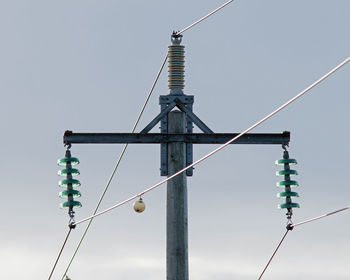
{"x":224,"y":145}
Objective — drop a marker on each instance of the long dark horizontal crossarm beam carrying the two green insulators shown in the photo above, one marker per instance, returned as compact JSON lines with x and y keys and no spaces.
{"x":156,"y":138}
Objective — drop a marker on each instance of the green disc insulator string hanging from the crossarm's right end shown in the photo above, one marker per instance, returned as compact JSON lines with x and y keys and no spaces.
{"x":287,"y":183}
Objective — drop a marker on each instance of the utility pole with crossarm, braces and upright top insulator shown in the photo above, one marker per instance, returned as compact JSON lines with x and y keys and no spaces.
{"x":176,"y":142}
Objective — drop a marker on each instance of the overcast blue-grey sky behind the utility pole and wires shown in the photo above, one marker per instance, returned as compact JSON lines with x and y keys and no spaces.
{"x":87,"y":66}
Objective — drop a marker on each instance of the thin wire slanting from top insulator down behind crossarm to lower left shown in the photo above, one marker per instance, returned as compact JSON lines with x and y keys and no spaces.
{"x":117,"y":164}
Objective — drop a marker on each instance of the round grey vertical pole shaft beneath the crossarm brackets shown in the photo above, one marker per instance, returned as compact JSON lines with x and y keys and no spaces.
{"x":177,"y":234}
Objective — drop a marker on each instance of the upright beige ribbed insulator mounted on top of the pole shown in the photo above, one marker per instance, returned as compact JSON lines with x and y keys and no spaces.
{"x":176,"y":58}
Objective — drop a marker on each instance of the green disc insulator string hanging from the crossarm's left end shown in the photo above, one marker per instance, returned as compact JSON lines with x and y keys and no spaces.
{"x":69,"y":182}
